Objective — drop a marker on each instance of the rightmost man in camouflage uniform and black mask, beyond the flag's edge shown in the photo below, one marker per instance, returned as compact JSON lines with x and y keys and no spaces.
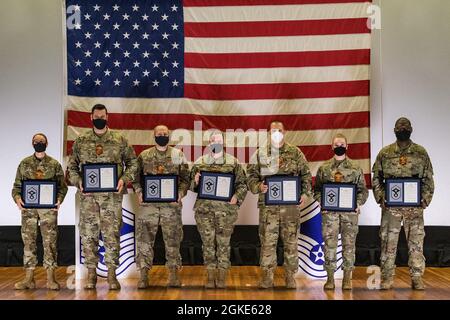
{"x":402,"y":159}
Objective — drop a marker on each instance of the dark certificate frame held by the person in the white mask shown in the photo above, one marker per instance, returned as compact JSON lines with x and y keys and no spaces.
{"x":276,"y":182}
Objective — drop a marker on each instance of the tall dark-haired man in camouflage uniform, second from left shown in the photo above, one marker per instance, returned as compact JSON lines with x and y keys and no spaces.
{"x":101,"y":212}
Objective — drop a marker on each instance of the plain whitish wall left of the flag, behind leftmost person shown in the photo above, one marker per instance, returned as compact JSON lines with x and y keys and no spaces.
{"x":31,"y":60}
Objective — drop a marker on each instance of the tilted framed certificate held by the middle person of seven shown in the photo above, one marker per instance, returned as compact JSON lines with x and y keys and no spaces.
{"x":216,"y":186}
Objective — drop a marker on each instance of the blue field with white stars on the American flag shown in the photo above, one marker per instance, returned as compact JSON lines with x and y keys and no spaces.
{"x":125,"y":48}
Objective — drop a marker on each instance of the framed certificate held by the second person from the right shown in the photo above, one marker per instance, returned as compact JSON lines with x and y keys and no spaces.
{"x":339,"y":197}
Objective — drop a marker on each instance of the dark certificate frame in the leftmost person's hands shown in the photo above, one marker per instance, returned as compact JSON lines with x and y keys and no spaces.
{"x":35,"y":186}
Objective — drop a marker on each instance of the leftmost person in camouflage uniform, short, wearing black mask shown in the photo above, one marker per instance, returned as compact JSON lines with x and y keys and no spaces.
{"x":42,"y":167}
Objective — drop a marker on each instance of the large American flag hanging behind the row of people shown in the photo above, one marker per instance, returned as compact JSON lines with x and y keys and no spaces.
{"x":231,"y":64}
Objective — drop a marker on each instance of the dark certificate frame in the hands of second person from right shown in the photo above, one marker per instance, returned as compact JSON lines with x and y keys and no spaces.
{"x":335,"y":189}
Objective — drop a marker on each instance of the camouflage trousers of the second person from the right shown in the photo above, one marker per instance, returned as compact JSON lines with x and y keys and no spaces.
{"x":346,"y":224}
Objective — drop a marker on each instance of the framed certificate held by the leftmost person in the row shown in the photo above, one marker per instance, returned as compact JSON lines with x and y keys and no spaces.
{"x":39,"y":194}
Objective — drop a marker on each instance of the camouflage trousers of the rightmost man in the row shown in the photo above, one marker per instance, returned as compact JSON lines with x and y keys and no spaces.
{"x":415,"y":233}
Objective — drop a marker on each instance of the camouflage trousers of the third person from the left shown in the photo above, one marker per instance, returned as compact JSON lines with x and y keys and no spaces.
{"x":147,"y":222}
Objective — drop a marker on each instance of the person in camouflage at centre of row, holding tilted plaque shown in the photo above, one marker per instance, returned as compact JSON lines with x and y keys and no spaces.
{"x":216,"y":219}
